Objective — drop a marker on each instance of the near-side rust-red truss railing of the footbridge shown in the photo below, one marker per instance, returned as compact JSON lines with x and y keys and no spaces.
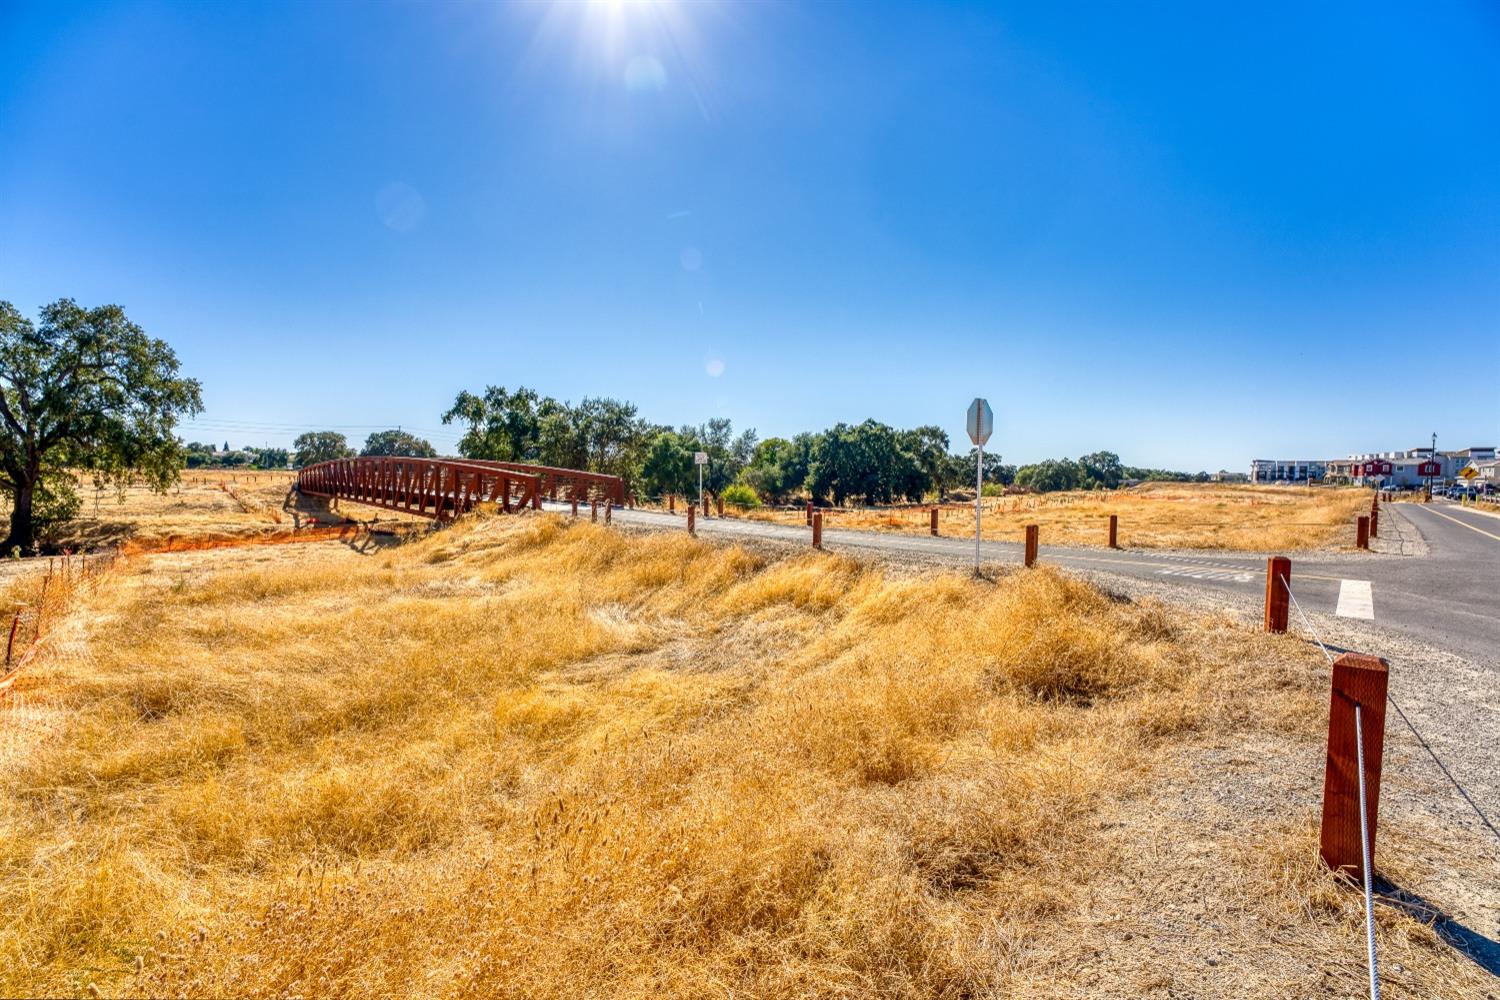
{"x":431,"y":488}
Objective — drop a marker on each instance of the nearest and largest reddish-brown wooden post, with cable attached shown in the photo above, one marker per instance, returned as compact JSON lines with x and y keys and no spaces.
{"x":1358,"y":680}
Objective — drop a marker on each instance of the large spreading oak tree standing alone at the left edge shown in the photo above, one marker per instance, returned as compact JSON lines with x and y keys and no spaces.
{"x":85,"y":389}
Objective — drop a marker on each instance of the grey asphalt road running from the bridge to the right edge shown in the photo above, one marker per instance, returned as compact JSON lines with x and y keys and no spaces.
{"x":1448,"y":597}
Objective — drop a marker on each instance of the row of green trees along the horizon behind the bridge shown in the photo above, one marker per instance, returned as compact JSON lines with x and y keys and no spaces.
{"x":848,"y":464}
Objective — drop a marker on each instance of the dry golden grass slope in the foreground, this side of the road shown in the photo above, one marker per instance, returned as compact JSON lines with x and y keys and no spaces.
{"x":544,"y":759}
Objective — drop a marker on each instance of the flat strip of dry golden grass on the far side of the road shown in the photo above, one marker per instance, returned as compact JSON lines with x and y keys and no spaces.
{"x":1151,"y":516}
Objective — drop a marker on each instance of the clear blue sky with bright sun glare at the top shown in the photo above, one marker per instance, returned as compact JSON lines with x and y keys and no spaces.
{"x":1190,"y":235}
